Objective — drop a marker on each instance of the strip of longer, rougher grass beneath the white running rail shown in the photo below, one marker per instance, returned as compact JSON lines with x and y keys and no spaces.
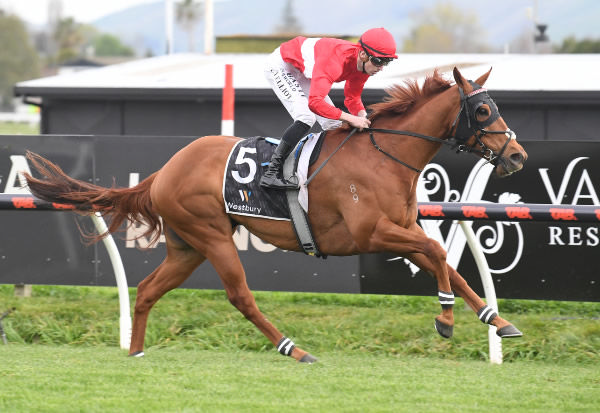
{"x":319,"y":323}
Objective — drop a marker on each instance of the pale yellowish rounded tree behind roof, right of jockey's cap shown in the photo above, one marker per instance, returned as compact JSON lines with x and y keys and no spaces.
{"x":445,"y":28}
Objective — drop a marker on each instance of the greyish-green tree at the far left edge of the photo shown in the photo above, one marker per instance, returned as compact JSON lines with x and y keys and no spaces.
{"x":18,"y":59}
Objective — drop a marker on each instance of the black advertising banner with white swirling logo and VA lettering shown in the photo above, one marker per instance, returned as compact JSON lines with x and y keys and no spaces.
{"x":539,"y":260}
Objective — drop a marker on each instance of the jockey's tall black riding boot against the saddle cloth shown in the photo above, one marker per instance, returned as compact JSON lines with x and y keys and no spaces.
{"x":273,"y":176}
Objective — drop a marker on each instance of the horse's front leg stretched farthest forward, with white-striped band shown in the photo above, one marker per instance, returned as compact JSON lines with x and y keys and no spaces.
{"x":462,"y":288}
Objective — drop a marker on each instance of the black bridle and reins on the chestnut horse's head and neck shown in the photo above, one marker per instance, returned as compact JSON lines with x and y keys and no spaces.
{"x":465,"y":125}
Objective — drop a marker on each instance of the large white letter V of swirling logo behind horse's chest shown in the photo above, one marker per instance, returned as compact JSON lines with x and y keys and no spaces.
{"x":473,"y":191}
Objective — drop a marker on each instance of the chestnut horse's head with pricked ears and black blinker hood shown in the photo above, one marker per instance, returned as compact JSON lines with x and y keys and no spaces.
{"x":480,"y":129}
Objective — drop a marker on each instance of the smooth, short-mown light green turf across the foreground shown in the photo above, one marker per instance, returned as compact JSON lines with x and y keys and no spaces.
{"x":41,"y":378}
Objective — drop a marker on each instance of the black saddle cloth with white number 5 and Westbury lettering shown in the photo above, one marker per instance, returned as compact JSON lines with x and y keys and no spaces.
{"x":247,"y":161}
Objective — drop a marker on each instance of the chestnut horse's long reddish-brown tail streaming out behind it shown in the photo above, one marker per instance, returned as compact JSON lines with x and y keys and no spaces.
{"x":133,"y":204}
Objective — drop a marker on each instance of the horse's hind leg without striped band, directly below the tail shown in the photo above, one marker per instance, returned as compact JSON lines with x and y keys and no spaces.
{"x":180,"y":262}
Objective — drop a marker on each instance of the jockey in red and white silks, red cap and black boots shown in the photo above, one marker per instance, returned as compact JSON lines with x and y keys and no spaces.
{"x":301,"y":72}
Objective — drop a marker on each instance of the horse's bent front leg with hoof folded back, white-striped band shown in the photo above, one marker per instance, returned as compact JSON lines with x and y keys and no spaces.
{"x":403,"y":241}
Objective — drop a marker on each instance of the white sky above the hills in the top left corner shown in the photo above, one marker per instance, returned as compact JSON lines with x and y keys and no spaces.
{"x":85,"y":11}
